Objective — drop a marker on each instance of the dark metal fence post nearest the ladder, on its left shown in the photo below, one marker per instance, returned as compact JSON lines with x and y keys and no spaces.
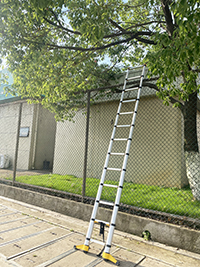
{"x":86,"y":145}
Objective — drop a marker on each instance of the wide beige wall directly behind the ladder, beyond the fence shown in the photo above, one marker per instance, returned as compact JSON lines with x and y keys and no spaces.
{"x":156,"y":155}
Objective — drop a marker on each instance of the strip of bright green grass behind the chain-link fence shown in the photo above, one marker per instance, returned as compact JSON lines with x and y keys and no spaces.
{"x":171,"y":200}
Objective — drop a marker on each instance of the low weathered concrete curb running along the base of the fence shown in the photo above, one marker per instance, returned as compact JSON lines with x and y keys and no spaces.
{"x":172,"y":235}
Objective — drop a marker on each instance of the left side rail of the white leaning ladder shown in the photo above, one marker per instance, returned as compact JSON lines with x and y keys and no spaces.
{"x":99,"y":192}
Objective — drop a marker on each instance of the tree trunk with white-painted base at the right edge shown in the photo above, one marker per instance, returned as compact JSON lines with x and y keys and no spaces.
{"x":191,"y":144}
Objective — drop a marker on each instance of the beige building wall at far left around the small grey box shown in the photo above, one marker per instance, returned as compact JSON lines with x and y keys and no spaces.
{"x":35,"y":148}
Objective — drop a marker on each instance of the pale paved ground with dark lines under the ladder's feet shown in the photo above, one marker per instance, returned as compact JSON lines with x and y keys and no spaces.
{"x":32,"y":236}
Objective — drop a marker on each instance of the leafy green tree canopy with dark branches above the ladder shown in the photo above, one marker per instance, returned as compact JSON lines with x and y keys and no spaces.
{"x":57,"y":48}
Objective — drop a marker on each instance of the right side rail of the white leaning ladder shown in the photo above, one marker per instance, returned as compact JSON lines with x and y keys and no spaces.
{"x":119,"y":191}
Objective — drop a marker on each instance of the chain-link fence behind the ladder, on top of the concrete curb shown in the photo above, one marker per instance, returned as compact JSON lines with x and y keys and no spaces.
{"x":69,"y":156}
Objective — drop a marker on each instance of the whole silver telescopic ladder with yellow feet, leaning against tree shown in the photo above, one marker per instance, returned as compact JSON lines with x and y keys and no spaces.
{"x":107,"y":246}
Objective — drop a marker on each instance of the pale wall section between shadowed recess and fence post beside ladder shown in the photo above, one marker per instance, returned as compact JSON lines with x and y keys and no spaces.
{"x":69,"y":146}
